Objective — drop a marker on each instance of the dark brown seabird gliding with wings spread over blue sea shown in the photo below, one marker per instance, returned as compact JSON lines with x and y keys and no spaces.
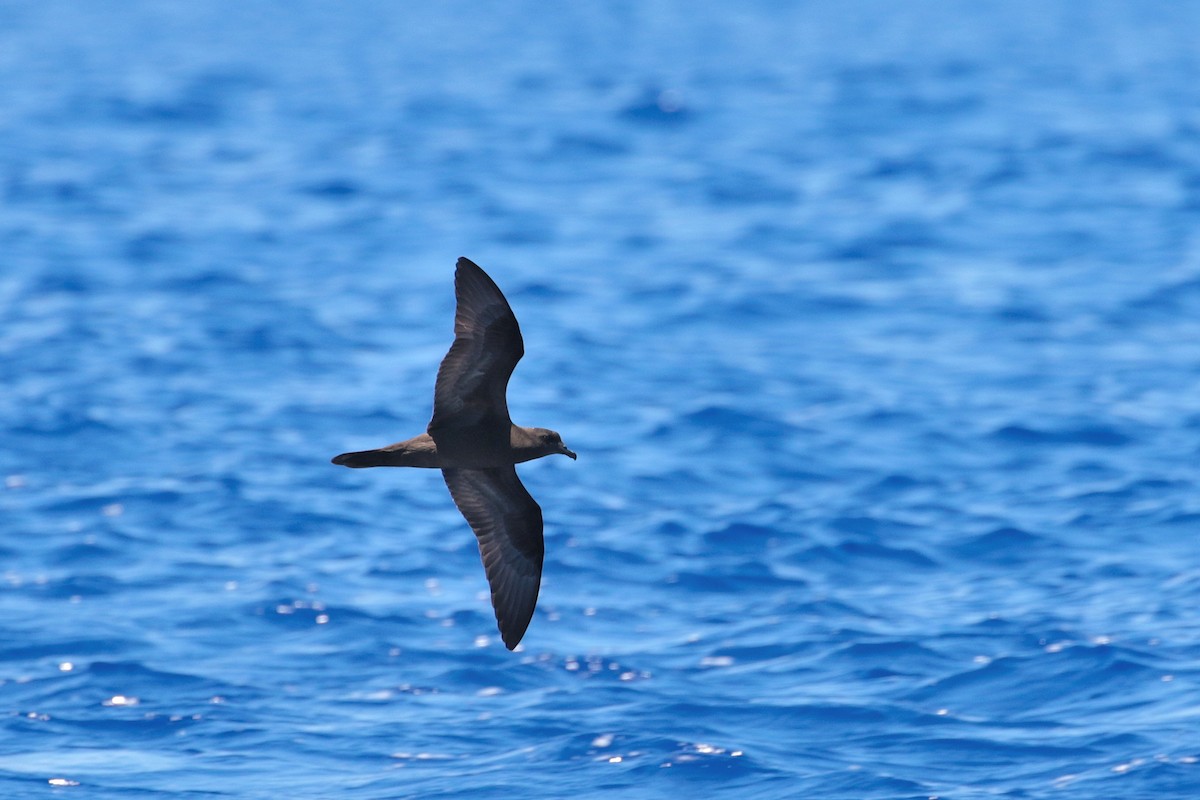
{"x":476,"y":446}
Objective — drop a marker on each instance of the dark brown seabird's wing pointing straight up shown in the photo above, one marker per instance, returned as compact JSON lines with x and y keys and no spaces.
{"x":475,"y":375}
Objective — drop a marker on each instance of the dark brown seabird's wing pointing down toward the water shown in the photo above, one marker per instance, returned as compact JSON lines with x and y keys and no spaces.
{"x":508,"y":524}
